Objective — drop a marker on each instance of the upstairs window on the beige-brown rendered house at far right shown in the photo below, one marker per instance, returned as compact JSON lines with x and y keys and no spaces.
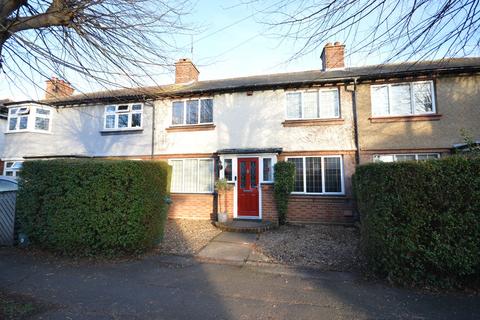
{"x":400,"y":99}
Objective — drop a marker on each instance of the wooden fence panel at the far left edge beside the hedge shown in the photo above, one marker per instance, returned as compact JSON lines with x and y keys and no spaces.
{"x":7,"y":217}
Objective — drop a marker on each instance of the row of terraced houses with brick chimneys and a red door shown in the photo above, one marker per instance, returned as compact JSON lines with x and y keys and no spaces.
{"x":325,"y":121}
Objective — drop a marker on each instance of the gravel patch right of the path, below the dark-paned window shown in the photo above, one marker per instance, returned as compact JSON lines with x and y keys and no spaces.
{"x":334,"y":248}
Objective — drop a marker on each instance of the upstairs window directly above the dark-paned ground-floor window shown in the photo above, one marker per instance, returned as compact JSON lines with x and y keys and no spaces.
{"x":315,"y":104}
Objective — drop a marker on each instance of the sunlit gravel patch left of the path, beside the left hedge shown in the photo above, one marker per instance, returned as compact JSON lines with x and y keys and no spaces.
{"x":186,"y":237}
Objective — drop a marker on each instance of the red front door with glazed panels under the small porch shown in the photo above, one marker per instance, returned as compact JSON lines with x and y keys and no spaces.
{"x":248,"y":187}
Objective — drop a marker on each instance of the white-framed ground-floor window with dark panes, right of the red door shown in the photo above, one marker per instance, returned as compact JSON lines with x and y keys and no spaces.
{"x":318,"y":175}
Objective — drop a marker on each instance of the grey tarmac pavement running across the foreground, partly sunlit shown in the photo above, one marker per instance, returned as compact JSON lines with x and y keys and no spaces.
{"x":175,"y":287}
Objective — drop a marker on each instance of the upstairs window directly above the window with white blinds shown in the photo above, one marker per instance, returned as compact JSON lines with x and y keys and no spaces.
{"x":192,"y":112}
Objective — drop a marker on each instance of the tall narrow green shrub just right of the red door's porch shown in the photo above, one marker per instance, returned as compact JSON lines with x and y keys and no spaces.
{"x":284,"y":182}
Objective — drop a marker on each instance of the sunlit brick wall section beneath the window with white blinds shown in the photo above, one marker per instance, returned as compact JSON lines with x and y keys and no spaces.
{"x":191,"y":206}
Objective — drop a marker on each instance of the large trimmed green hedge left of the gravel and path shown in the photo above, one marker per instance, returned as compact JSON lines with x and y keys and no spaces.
{"x":86,"y":207}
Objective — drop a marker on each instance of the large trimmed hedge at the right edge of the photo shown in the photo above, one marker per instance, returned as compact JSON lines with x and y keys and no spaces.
{"x":421,"y":220}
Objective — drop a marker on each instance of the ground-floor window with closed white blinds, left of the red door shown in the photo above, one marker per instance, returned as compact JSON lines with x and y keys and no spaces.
{"x":192,"y":175}
